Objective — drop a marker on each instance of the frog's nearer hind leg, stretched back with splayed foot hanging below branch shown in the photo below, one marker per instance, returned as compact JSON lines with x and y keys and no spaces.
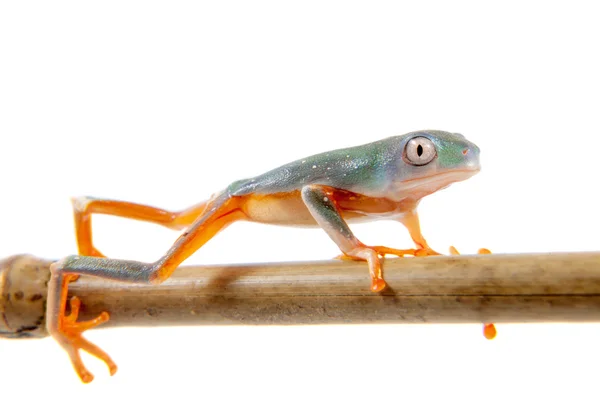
{"x":219,"y":213}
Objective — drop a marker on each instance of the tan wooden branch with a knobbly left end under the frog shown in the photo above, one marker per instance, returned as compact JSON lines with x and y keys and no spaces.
{"x":457,"y":289}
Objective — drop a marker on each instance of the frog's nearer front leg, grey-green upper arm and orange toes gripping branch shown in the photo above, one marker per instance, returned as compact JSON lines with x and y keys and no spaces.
{"x":320,"y":201}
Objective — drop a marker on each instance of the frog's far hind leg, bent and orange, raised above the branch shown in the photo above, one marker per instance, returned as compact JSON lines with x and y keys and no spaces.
{"x":84,"y":207}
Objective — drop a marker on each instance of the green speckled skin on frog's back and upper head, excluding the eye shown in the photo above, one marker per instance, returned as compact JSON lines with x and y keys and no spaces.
{"x":373,"y":169}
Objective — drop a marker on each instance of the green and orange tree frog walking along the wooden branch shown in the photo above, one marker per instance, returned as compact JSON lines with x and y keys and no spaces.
{"x":385,"y":179}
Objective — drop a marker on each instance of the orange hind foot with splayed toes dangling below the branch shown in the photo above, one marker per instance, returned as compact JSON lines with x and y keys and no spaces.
{"x":72,"y":341}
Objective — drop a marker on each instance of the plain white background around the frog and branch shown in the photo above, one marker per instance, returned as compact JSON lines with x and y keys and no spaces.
{"x":166,"y":102}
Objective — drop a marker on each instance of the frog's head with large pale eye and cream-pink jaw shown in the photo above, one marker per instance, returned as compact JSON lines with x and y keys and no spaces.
{"x":432,"y":160}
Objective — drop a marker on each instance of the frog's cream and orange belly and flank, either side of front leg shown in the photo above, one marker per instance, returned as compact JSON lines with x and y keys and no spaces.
{"x":289,"y":209}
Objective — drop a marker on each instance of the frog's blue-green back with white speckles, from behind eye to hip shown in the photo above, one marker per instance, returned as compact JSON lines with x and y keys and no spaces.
{"x":361,"y":169}
